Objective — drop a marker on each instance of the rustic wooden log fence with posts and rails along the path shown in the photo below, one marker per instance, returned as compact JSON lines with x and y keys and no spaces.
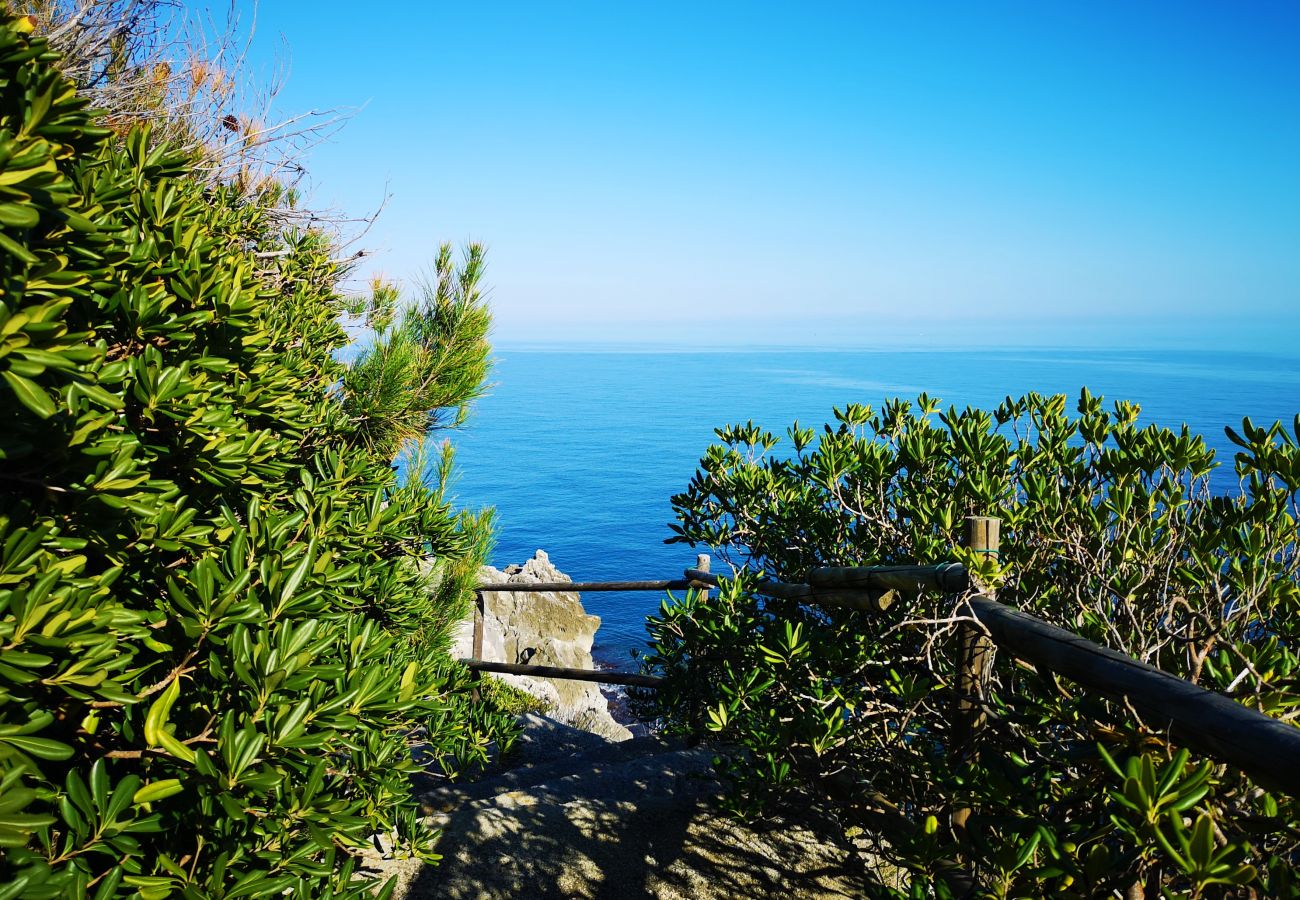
{"x":1259,"y":745}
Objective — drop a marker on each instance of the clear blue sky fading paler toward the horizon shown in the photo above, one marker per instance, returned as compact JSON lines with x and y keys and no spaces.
{"x":830,"y":175}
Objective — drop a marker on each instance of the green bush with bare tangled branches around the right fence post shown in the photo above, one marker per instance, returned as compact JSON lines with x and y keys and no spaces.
{"x":1110,"y":530}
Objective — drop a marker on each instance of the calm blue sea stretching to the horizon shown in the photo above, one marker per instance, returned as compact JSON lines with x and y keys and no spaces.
{"x":580,"y":452}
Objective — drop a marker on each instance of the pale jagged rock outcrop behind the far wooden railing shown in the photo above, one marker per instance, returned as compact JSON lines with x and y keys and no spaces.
{"x":543,"y":630}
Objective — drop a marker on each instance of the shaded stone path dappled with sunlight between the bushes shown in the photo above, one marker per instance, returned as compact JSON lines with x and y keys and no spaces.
{"x":584,"y":817}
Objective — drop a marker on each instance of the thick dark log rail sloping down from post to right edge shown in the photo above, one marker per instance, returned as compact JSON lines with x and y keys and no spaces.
{"x":1259,"y":745}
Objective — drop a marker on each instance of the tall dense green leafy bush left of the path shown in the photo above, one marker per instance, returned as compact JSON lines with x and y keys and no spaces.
{"x":218,"y":642}
